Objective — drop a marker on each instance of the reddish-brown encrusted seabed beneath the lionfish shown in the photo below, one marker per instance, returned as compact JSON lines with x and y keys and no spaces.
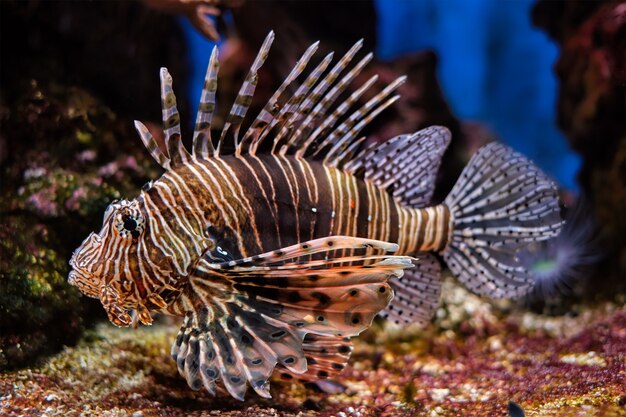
{"x":471,"y":362}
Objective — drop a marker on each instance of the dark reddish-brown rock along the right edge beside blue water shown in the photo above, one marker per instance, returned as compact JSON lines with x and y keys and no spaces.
{"x":592,"y":75}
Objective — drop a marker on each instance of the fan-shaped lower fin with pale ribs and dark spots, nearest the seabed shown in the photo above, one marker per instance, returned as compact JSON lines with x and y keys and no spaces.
{"x":224,"y":340}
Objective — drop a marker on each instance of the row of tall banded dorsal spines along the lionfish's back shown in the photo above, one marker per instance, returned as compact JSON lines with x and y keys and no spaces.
{"x":303,"y":126}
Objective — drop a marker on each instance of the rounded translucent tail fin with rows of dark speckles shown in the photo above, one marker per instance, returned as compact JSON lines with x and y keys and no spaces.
{"x":501,"y":203}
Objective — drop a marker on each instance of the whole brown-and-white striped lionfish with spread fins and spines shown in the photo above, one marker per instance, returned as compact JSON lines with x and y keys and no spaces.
{"x":274,"y":245}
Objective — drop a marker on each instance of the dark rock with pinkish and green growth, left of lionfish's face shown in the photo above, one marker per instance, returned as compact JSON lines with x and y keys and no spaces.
{"x":63,"y":161}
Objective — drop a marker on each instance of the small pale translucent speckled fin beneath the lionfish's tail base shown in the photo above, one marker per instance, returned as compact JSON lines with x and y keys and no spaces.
{"x":416,"y":293}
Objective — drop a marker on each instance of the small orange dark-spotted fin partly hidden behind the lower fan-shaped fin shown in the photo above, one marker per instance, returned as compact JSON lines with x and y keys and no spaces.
{"x":326,"y":357}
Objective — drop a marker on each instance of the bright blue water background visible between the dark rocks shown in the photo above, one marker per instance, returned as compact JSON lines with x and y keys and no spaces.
{"x":494,"y":68}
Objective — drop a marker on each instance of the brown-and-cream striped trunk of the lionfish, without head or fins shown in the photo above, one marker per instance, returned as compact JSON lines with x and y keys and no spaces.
{"x":272,"y":201}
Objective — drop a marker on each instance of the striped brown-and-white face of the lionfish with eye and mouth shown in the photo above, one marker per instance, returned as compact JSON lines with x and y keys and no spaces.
{"x":106,"y":266}
